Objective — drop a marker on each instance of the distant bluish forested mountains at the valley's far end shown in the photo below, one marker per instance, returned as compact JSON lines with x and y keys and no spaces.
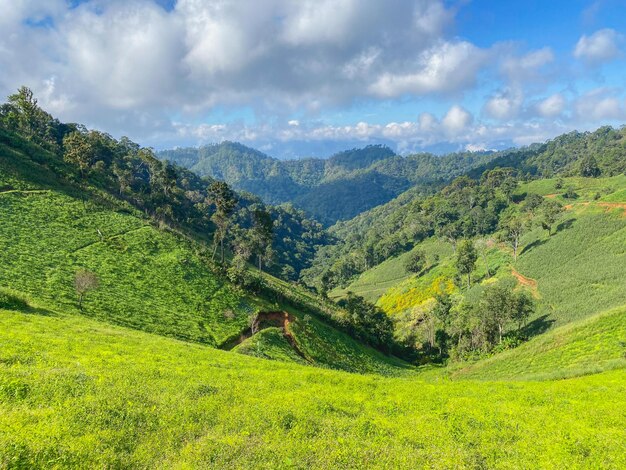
{"x":333,"y":189}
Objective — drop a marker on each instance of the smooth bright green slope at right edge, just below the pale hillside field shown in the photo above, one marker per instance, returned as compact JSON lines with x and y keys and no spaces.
{"x":588,"y":346}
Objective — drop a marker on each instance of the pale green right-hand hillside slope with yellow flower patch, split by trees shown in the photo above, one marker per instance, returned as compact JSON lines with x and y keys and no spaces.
{"x":578,"y":271}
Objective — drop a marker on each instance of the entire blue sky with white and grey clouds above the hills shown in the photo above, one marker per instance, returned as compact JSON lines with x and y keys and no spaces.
{"x":309,"y":77}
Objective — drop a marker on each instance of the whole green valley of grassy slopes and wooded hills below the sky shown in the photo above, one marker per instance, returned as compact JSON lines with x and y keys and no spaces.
{"x":151,"y":318}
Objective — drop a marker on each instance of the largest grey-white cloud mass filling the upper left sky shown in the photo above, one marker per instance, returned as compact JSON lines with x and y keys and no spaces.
{"x":277,"y":54}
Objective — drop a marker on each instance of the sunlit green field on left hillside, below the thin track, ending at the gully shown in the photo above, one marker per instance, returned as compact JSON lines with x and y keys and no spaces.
{"x":149,"y":279}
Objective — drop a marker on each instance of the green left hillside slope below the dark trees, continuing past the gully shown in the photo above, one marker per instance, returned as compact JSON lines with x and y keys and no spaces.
{"x":150,"y":279}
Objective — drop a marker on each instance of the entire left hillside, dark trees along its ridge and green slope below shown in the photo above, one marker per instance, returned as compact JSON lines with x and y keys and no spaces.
{"x":97,"y":227}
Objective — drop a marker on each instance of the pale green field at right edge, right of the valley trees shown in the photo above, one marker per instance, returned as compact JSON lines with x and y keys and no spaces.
{"x":582,"y":269}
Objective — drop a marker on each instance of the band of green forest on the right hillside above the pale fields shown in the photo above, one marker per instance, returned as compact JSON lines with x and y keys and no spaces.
{"x":395,"y":227}
